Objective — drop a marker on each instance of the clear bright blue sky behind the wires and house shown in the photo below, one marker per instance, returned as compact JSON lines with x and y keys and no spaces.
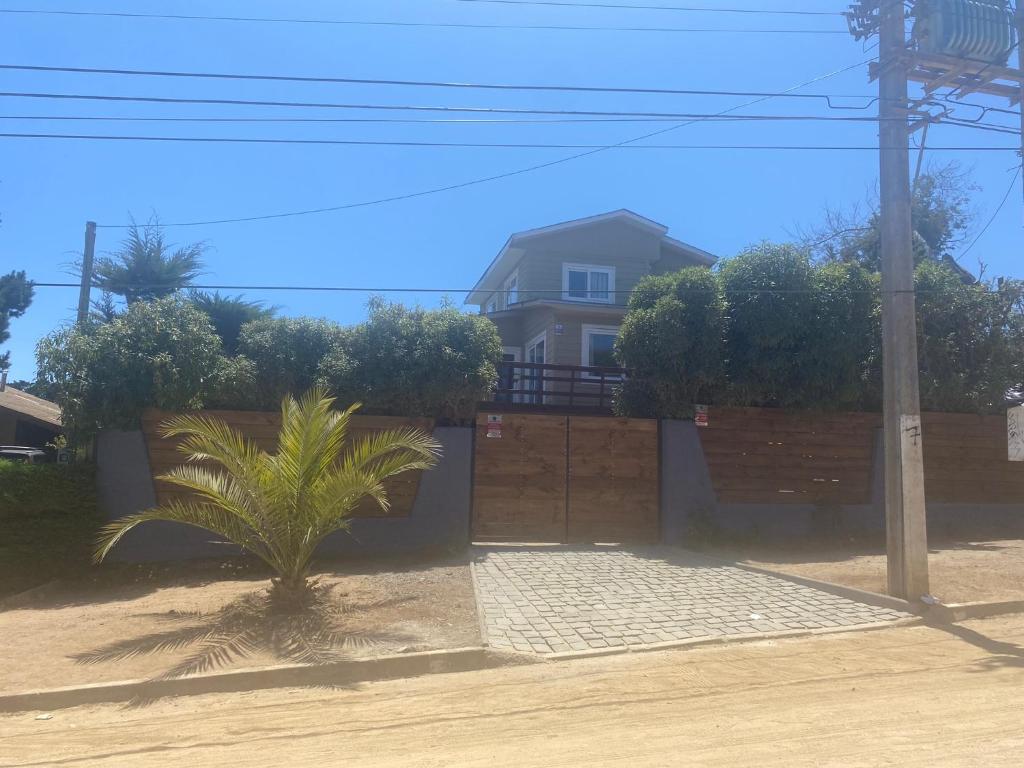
{"x":718,"y":200}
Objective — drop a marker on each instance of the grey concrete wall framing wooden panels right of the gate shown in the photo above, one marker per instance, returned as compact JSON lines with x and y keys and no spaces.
{"x":690,"y":505}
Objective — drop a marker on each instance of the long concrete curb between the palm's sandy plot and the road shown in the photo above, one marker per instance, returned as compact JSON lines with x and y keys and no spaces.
{"x":284,"y":676}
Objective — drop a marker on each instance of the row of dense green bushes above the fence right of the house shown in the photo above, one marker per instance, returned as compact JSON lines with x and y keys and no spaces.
{"x":800,"y":335}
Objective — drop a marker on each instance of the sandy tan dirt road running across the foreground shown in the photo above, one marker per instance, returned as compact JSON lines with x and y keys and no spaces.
{"x":909,"y":697}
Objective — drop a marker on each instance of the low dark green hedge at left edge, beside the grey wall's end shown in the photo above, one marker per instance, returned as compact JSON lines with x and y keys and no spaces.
{"x":49,"y":521}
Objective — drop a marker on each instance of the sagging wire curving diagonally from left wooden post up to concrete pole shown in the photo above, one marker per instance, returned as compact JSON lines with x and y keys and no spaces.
{"x":483,"y":180}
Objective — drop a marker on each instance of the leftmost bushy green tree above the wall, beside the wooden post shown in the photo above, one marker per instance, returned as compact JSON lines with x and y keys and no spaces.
{"x":158,"y":354}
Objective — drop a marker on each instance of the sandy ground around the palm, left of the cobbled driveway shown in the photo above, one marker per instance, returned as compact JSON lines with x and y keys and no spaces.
{"x":159,"y":617}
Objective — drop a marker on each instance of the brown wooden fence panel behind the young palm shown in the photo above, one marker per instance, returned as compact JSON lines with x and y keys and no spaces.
{"x":263,"y":429}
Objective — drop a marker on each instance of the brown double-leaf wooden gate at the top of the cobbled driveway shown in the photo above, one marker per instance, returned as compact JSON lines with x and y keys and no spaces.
{"x":566,"y":480}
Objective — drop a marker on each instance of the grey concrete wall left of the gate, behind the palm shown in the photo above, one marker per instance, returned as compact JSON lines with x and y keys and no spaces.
{"x":440,"y":520}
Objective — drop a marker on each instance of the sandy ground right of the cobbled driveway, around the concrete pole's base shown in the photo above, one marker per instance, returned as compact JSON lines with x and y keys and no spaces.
{"x":960,"y":572}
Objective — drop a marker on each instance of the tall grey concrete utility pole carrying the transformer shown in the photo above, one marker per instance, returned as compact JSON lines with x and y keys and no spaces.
{"x":906,"y":528}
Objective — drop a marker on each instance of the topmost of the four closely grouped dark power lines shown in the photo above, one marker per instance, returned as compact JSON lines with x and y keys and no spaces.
{"x":413,"y":83}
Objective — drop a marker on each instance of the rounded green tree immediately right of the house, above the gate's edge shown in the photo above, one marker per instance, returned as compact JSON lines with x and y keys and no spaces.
{"x":672,"y":343}
